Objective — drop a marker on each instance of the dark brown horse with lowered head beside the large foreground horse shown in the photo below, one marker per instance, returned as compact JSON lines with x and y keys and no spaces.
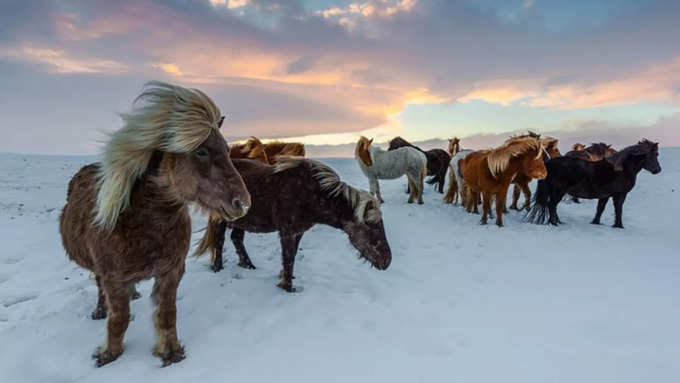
{"x":291,"y":197}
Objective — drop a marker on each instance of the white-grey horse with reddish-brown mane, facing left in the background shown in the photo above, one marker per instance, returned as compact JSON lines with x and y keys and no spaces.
{"x":377,"y":163}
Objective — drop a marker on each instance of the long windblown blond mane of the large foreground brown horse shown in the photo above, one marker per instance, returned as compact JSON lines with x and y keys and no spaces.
{"x":164,"y":117}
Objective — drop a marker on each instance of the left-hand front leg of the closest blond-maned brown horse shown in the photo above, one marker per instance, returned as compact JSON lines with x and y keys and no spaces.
{"x":118,"y":302}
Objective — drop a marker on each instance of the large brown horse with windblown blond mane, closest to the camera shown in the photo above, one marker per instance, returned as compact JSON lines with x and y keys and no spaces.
{"x":126,"y":218}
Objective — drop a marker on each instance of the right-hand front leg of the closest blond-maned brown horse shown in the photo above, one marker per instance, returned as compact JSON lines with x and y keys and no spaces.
{"x":164,"y":298}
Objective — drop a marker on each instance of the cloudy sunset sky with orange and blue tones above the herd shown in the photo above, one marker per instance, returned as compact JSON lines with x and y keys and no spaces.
{"x":325,"y":72}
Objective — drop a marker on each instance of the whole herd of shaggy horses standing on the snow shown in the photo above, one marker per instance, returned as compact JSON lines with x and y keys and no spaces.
{"x":127,"y":219}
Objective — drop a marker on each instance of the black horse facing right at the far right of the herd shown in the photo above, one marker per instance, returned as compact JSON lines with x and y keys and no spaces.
{"x":613,"y":177}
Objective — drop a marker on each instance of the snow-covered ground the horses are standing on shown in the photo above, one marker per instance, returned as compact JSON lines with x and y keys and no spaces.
{"x":460,"y":303}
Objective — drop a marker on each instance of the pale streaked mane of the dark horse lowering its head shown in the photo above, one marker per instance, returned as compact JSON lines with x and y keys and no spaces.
{"x":333,"y":187}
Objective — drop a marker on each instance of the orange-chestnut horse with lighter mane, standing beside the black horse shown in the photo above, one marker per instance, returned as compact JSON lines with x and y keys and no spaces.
{"x":490,"y":172}
